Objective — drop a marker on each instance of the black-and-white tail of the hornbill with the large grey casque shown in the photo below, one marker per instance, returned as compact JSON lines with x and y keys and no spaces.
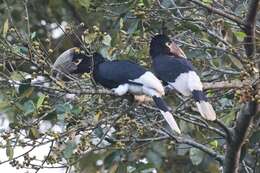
{"x":160,"y":103}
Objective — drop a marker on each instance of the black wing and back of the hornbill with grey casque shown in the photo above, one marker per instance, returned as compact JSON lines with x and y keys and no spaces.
{"x":114,"y":73}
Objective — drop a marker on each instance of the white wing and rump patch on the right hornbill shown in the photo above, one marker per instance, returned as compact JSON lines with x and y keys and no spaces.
{"x":186,"y":83}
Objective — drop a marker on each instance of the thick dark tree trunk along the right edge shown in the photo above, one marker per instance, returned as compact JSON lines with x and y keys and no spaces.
{"x":249,"y":110}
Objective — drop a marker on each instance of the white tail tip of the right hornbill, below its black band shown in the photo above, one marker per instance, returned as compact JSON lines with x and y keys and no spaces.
{"x":206,"y":110}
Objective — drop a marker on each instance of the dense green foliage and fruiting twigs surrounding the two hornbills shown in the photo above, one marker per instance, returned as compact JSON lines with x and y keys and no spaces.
{"x":89,"y":129}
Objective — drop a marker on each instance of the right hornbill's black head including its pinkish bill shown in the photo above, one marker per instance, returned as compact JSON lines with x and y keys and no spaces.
{"x":162,"y":44}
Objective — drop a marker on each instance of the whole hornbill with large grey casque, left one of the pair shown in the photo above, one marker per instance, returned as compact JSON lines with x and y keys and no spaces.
{"x":121,"y":76}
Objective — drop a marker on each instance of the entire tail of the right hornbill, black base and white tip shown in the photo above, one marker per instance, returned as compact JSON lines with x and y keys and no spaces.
{"x":205,"y":108}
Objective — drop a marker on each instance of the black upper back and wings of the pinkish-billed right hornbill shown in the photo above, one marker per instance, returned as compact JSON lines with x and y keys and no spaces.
{"x":167,"y":68}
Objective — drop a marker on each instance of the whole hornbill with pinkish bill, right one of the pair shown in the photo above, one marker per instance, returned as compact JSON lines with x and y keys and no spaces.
{"x":171,"y":66}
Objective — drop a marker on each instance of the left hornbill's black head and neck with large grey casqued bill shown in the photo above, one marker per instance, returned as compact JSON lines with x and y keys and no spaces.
{"x":74,"y":61}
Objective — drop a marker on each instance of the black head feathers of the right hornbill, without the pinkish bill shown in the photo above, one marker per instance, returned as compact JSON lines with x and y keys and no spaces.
{"x":157,"y":45}
